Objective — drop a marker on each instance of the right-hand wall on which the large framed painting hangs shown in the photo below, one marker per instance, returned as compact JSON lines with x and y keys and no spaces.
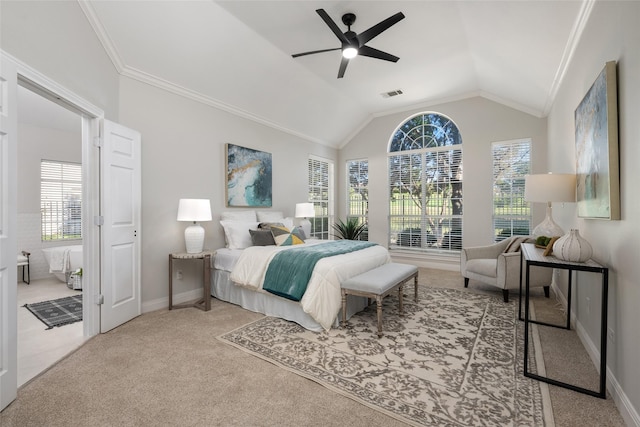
{"x":612,"y":33}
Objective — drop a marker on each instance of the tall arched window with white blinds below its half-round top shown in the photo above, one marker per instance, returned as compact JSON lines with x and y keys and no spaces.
{"x":425,"y":185}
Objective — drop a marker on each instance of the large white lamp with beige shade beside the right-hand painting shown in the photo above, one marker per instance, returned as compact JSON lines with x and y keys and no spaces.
{"x":548,"y":188}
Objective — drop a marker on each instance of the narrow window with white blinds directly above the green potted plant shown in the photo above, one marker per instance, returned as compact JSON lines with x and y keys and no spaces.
{"x":358,"y":193}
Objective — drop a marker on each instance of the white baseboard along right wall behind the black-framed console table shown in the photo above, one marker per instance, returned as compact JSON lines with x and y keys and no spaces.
{"x":622,"y":402}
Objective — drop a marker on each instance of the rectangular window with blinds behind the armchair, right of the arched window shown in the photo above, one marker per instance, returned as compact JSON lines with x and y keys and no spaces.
{"x":511,"y":213}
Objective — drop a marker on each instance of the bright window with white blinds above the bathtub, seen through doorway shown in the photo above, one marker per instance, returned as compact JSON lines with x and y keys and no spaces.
{"x":60,"y":200}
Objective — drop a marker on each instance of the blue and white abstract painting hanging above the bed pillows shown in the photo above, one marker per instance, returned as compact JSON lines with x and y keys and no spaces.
{"x":249,"y":177}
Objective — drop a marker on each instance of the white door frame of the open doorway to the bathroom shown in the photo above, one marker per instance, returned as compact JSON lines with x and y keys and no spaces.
{"x":92,"y":119}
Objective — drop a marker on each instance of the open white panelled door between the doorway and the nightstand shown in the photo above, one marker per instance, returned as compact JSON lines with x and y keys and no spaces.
{"x":120,"y":205}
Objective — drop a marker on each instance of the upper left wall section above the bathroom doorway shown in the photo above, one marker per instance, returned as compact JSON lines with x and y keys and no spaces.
{"x":55,"y":38}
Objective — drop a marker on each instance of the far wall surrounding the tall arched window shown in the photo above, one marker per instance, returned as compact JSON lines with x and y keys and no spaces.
{"x":480,"y":122}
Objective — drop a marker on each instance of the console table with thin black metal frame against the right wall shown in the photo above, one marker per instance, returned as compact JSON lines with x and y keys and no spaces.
{"x":533,"y":256}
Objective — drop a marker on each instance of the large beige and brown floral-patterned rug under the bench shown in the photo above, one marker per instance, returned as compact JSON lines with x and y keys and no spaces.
{"x":454,"y":359}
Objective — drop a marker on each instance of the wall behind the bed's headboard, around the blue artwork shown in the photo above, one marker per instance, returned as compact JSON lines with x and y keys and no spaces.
{"x":183,"y":156}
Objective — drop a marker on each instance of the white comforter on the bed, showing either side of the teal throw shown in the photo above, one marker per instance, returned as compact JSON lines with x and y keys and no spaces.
{"x":322,"y":299}
